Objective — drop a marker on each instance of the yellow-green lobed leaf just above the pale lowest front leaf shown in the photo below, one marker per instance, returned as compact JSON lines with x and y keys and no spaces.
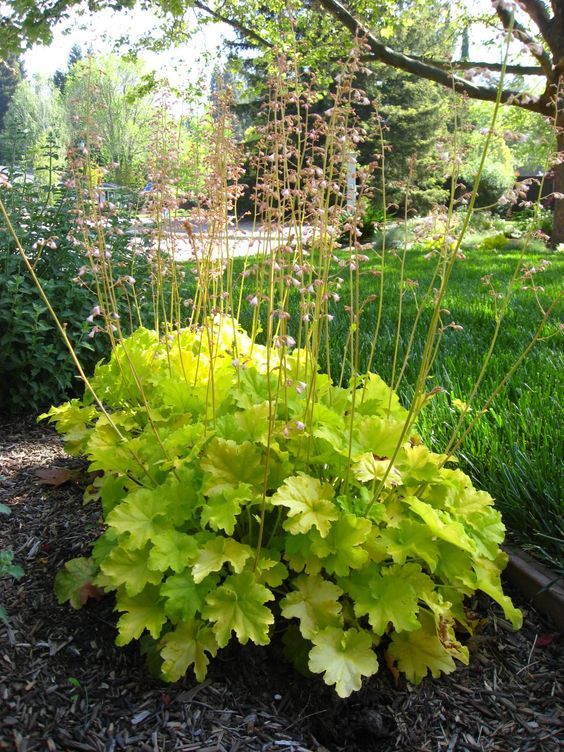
{"x":315,"y":602}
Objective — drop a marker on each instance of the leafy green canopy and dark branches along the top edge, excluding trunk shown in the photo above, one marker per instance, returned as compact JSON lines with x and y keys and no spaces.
{"x":26,"y":23}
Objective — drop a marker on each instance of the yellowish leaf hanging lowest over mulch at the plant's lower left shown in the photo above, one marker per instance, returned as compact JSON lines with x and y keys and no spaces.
{"x":187,"y":646}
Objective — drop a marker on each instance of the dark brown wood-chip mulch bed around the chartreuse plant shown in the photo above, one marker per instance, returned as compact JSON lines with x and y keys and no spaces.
{"x":65,"y":686}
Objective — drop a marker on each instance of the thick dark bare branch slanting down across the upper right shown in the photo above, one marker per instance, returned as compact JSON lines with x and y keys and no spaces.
{"x":419,"y":68}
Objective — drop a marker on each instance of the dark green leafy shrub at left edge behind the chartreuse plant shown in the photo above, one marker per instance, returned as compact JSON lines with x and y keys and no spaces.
{"x":36,"y":369}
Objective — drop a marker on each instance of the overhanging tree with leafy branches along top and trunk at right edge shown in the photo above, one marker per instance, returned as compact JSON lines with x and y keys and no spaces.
{"x":539,"y":25}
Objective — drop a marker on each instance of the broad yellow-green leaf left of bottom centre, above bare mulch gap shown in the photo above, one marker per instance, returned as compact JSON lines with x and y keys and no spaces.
{"x":238,"y":606}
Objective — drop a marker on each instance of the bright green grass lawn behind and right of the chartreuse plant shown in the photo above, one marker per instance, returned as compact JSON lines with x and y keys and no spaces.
{"x":515,"y":450}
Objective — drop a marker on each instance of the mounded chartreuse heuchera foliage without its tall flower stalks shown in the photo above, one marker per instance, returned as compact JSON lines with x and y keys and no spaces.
{"x":239,"y":487}
